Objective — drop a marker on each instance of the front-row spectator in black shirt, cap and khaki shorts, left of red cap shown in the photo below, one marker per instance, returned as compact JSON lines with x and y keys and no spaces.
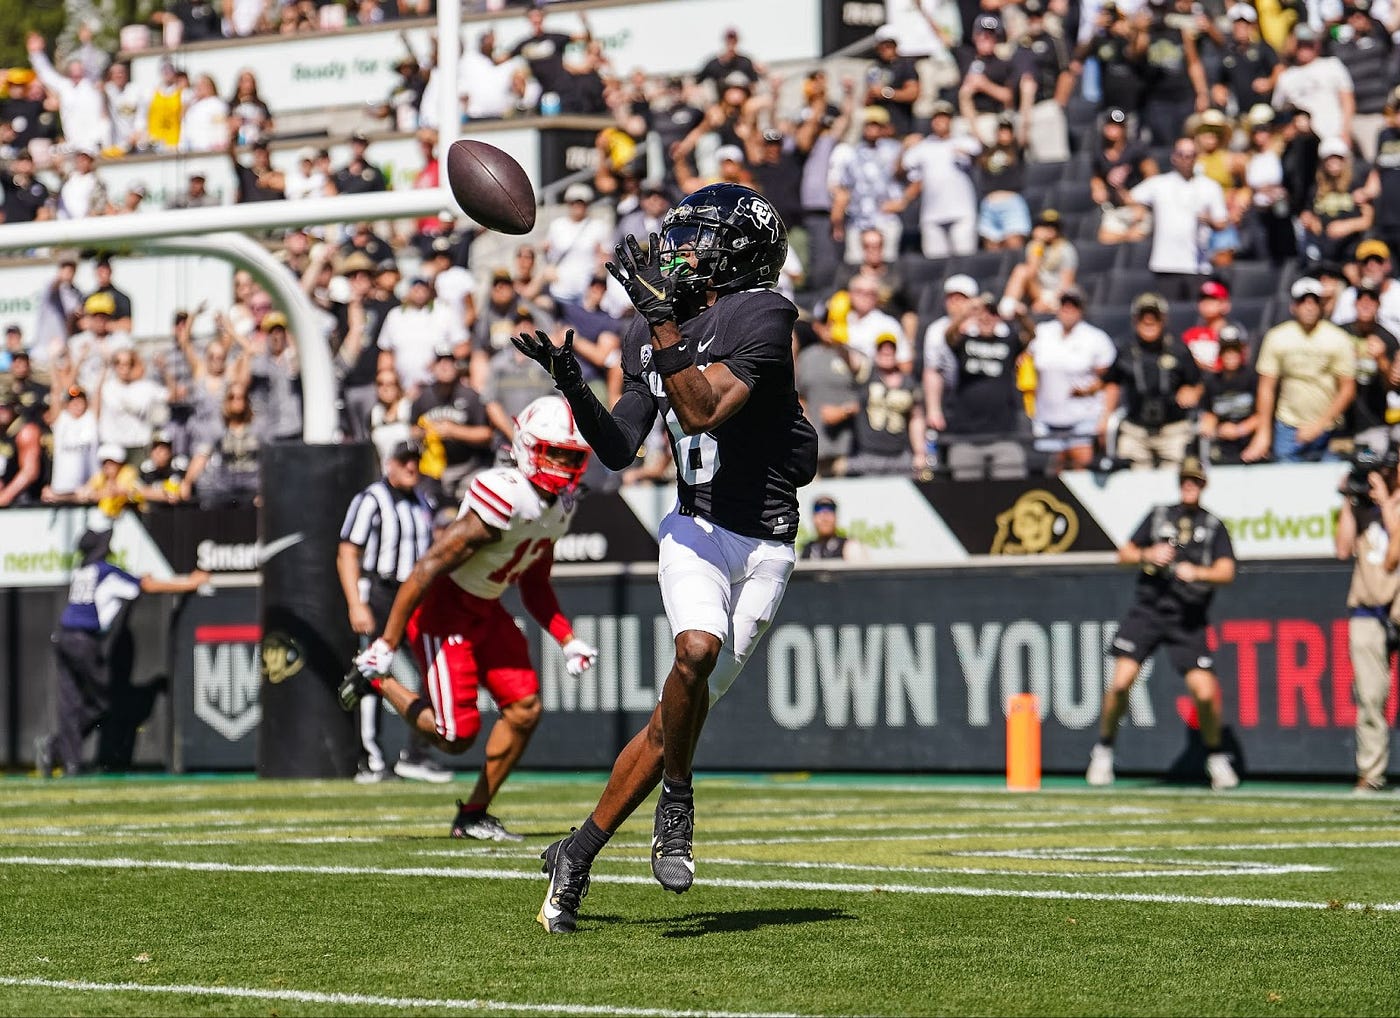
{"x":1158,"y":383}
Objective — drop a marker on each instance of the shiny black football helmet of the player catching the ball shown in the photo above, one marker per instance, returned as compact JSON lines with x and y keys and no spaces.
{"x":736,"y":233}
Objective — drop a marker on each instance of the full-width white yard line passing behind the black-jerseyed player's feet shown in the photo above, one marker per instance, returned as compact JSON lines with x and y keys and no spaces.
{"x":722,"y":883}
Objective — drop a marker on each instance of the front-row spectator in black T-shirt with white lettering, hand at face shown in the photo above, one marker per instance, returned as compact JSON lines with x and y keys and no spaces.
{"x":985,"y":411}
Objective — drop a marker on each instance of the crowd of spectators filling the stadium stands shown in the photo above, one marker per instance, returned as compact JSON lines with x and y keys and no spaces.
{"x":1028,"y":239}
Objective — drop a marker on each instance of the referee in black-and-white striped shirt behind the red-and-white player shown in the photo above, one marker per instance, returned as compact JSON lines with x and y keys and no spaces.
{"x":388,"y":527}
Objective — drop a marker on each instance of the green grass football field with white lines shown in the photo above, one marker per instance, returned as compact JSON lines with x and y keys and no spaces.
{"x":814,"y":897}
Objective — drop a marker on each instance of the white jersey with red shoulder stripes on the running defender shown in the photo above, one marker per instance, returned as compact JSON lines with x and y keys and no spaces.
{"x":506,"y":501}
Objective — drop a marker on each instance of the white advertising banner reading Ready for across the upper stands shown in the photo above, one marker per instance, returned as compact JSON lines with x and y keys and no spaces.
{"x":307,"y":74}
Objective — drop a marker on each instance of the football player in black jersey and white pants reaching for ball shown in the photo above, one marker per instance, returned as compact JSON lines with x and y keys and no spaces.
{"x":710,"y":351}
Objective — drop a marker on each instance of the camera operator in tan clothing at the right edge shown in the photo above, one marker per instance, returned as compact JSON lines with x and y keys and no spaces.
{"x":1368,"y":530}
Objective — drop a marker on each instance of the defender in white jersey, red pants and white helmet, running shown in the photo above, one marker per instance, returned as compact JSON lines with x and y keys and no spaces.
{"x":450,"y":615}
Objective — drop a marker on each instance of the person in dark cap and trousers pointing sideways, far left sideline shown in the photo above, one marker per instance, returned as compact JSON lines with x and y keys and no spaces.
{"x":96,"y":614}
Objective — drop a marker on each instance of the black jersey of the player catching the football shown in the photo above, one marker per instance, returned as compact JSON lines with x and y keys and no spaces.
{"x":745,"y":474}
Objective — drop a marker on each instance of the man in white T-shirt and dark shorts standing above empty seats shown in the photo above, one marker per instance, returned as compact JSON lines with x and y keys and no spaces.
{"x":1186,"y":207}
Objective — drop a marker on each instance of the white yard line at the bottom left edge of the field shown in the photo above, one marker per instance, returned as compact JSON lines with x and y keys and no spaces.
{"x":363,"y":1000}
